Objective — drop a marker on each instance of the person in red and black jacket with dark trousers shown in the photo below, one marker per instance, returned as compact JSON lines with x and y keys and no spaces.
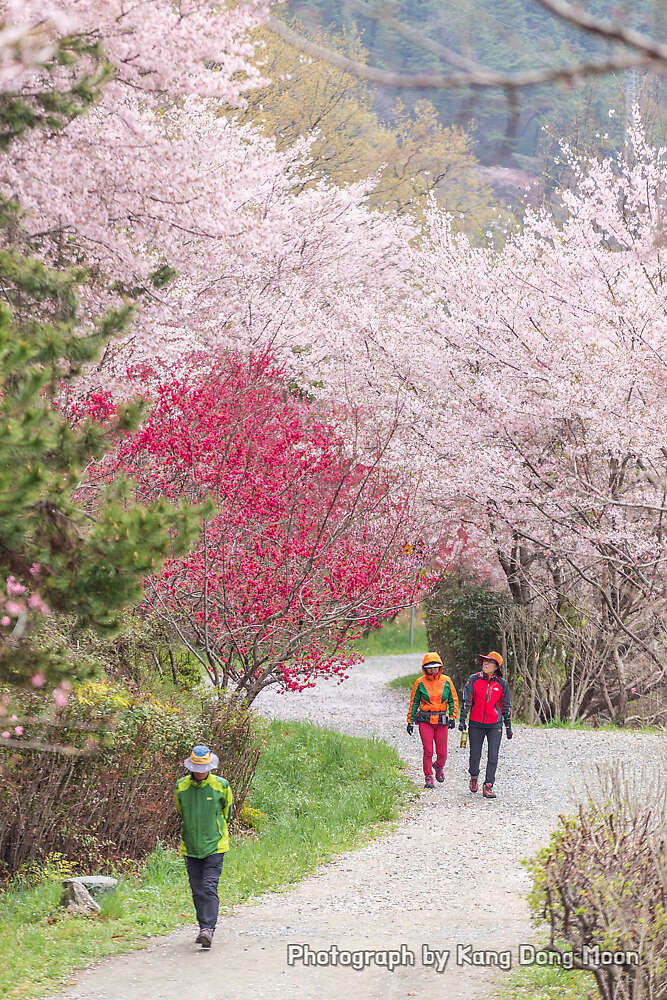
{"x":487,"y":697}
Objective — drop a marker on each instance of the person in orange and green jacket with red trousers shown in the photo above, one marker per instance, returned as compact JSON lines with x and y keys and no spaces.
{"x":434,"y":704}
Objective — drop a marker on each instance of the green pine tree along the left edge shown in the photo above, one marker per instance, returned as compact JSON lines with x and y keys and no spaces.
{"x":59,"y":556}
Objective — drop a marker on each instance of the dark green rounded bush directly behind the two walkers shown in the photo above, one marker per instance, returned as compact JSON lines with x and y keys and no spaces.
{"x":462,"y":620}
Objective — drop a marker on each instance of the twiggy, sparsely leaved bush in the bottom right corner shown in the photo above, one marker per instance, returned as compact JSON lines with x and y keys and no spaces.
{"x":601,"y":883}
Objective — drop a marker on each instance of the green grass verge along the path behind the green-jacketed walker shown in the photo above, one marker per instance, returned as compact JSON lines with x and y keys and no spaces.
{"x":303,"y":769}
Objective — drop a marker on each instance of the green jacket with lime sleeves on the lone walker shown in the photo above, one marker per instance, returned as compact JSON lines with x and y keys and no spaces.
{"x":206,"y":809}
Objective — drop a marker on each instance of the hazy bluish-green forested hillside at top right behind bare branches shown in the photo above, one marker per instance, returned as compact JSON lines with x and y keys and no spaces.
{"x":507,"y":35}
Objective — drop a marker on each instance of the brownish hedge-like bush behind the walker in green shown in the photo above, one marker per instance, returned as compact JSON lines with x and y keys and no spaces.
{"x":112,"y":797}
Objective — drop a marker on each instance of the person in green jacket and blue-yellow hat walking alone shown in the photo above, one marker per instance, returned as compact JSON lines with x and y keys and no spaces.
{"x":204,"y":802}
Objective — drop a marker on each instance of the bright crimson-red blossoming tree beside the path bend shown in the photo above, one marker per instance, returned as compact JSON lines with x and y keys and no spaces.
{"x":310,"y":540}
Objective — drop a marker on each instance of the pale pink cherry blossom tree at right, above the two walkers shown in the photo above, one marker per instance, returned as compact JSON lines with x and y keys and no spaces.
{"x":536,"y":406}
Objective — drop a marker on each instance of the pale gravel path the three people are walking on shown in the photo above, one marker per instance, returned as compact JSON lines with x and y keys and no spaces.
{"x":449,"y":875}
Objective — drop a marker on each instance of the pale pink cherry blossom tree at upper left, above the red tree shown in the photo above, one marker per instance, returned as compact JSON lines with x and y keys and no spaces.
{"x":198,"y":220}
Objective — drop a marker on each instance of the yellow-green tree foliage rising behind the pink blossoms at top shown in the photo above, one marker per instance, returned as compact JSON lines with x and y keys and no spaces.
{"x":410,"y":158}
